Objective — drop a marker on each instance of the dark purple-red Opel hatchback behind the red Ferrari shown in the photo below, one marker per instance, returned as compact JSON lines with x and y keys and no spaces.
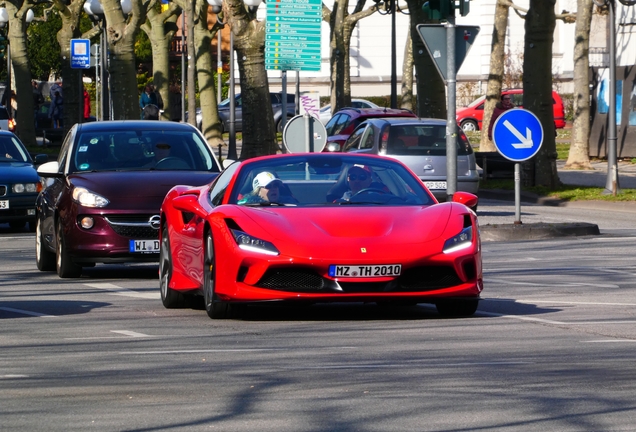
{"x":102,"y":196}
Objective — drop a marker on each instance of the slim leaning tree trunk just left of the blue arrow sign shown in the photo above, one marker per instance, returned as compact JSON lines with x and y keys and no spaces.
{"x":496,"y":73}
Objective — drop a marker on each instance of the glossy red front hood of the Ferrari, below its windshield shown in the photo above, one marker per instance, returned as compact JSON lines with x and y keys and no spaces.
{"x":407,"y":225}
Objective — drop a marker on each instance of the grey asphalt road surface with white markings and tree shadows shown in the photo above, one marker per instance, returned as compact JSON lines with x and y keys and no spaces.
{"x":551,"y":347}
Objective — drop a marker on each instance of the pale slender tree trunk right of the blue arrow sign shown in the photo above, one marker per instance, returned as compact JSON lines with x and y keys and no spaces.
{"x":578,"y":158}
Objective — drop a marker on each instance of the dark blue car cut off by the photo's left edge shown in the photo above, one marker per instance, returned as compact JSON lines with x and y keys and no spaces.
{"x":19,"y":182}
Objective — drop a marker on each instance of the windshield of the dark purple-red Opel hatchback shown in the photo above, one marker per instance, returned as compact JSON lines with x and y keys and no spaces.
{"x":141,"y":150}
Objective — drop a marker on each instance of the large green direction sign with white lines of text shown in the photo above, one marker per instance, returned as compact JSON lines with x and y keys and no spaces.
{"x":293,"y":35}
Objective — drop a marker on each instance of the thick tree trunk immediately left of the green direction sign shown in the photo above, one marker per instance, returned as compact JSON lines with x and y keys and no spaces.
{"x":259,"y":132}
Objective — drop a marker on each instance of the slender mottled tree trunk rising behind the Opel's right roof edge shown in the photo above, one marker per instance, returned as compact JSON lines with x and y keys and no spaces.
{"x":210,"y":125}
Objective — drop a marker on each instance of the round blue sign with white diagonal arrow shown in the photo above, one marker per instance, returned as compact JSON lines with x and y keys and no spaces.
{"x":517,"y":134}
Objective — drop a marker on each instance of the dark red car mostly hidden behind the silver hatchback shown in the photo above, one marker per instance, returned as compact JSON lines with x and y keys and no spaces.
{"x":346,"y":120}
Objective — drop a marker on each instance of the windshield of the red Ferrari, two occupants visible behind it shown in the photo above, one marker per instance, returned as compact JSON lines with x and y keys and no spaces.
{"x":327,"y":180}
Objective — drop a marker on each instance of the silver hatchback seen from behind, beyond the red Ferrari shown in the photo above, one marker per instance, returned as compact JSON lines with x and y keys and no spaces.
{"x":421,"y":145}
